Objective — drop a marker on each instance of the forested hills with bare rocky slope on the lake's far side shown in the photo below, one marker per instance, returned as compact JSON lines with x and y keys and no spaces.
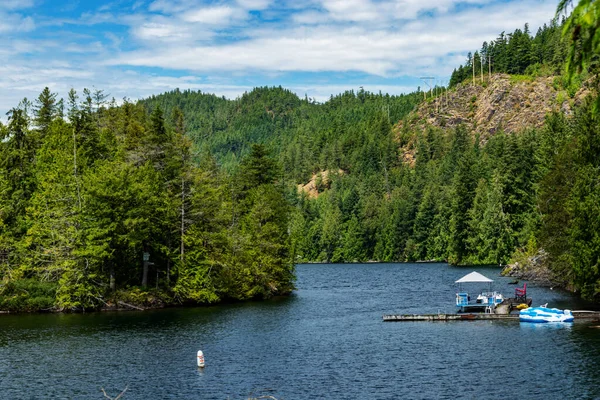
{"x":469,"y":177}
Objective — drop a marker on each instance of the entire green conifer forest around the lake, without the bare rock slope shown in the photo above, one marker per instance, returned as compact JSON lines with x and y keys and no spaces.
{"x":187,"y":197}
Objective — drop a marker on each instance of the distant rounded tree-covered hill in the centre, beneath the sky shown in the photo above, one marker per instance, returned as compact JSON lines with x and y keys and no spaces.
{"x":303,"y":135}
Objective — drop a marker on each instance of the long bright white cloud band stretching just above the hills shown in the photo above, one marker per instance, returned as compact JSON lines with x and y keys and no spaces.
{"x":408,"y":49}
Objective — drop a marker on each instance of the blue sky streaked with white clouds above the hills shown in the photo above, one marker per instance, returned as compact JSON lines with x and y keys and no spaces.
{"x":316,"y":48}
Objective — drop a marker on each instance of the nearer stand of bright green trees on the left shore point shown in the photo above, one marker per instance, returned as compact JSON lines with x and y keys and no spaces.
{"x":106,"y":203}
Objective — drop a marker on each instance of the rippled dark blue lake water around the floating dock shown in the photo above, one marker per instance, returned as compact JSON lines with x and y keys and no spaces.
{"x":326,"y":341}
